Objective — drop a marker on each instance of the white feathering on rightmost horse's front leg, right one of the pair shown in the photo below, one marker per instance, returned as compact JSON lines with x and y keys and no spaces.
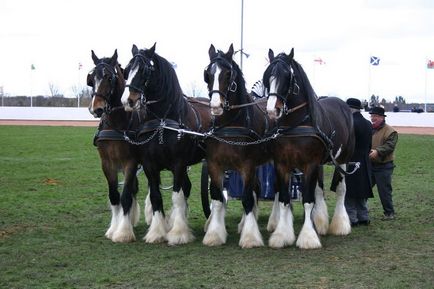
{"x":308,"y":238}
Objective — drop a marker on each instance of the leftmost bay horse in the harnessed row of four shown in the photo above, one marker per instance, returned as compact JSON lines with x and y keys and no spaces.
{"x":108,"y":84}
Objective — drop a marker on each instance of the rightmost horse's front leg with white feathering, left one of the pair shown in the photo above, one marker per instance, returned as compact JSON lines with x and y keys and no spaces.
{"x":283,"y":234}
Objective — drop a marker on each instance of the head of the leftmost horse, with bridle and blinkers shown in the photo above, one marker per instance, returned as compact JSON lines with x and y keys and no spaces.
{"x":107,"y":83}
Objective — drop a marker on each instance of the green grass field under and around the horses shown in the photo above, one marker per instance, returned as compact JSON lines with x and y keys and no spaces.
{"x":54,"y":212}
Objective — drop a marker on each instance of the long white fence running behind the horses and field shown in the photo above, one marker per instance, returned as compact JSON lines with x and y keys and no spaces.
{"x":72,"y":113}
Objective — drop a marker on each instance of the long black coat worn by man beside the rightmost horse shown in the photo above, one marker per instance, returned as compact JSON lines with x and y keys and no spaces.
{"x":359,"y":183}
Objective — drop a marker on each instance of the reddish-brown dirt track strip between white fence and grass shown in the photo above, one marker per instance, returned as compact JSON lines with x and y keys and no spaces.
{"x":94,"y":123}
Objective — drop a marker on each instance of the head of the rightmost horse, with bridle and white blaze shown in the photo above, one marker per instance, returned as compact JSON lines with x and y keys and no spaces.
{"x":280,"y":82}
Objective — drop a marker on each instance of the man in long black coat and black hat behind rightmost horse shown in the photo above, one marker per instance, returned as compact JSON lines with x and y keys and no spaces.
{"x":359,"y":185}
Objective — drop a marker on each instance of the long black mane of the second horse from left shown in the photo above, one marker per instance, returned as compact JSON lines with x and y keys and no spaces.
{"x":167,"y":86}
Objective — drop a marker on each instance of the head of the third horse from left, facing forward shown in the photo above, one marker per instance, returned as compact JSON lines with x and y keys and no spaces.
{"x":223,"y":78}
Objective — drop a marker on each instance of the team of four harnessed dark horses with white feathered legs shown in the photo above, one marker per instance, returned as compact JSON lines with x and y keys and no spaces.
{"x":147,"y":120}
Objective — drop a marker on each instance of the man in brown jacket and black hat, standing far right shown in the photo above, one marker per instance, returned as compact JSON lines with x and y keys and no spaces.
{"x":384,"y":140}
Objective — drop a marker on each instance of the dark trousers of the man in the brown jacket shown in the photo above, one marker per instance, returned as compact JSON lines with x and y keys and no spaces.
{"x":382,"y":177}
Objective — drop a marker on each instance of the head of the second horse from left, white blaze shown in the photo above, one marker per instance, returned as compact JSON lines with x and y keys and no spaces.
{"x":138,"y":74}
